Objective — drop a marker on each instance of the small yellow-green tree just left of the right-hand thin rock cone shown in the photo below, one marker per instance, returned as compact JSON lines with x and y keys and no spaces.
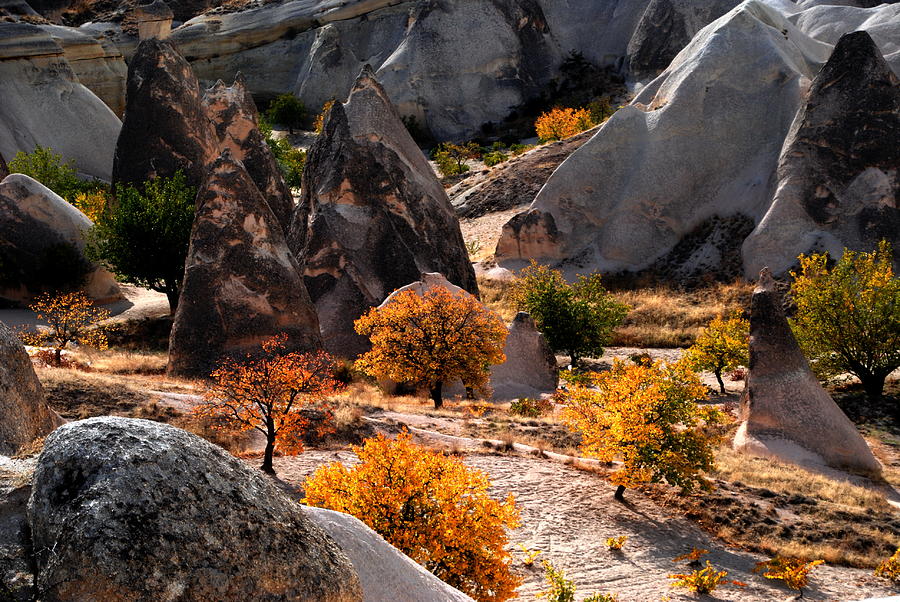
{"x":722,"y":345}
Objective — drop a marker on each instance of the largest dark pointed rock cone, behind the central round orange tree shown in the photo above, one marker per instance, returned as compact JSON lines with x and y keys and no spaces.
{"x":372,"y":216}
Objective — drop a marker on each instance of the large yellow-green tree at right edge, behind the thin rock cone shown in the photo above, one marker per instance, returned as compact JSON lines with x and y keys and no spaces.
{"x":848,"y":315}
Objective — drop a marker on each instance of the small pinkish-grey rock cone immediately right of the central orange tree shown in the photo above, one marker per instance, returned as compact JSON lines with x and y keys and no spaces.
{"x":530,"y":366}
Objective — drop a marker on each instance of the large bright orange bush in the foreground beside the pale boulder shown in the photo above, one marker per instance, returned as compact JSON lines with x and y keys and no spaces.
{"x":429,"y":505}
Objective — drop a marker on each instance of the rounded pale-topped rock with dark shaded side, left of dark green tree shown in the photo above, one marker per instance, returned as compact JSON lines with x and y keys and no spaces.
{"x":42,"y":244}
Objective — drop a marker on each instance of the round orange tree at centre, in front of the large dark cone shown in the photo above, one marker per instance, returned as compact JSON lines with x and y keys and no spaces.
{"x":432,"y":339}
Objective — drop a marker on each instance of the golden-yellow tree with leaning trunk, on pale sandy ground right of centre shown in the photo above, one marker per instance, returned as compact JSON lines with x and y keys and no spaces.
{"x":647,"y":417}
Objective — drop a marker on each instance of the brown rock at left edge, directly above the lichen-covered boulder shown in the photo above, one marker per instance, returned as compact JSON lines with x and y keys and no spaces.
{"x":24,"y":415}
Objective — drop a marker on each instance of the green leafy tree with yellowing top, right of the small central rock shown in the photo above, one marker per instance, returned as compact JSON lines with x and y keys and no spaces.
{"x":578,"y":318}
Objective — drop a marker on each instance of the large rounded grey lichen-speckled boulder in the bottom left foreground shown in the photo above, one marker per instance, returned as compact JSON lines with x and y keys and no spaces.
{"x":125,"y":509}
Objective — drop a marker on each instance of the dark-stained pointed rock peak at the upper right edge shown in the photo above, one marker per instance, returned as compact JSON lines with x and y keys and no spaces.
{"x":839,"y":173}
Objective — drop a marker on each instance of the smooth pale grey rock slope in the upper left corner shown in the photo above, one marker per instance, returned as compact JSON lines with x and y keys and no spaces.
{"x":43,"y":103}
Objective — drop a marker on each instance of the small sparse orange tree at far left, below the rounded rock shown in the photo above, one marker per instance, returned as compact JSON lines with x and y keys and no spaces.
{"x":72,"y":318}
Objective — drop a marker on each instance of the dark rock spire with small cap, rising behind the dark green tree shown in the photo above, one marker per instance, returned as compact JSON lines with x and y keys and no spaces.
{"x":165,"y":128}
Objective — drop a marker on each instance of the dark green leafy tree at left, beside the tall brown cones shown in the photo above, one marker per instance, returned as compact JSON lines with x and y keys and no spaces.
{"x":144,"y":235}
